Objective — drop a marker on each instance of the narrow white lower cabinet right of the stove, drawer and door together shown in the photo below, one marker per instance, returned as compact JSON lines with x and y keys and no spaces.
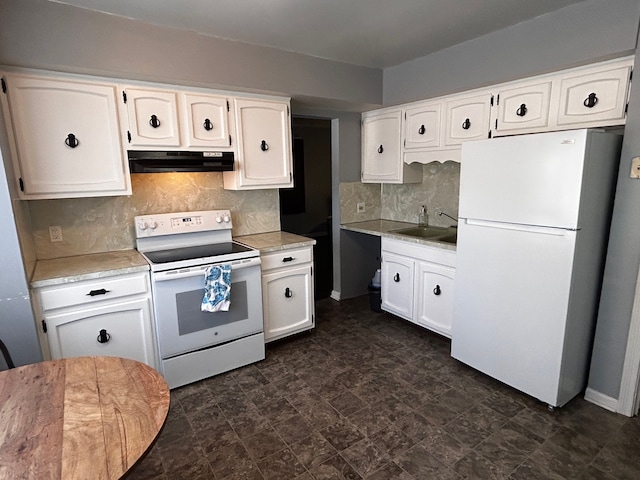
{"x":287,"y":292}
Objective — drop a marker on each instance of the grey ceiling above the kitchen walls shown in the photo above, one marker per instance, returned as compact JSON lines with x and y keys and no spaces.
{"x":371,"y":33}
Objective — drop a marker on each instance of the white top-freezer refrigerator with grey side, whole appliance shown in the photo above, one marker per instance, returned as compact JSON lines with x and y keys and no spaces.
{"x":534,"y":222}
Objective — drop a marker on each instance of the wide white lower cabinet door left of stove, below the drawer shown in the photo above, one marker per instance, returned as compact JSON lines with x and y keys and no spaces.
{"x":127,"y":326}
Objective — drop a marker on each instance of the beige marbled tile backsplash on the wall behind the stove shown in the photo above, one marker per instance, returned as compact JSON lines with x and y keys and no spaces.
{"x":101,"y":224}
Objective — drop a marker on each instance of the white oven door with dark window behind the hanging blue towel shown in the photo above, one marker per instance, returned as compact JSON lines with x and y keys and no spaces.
{"x":181,"y":325}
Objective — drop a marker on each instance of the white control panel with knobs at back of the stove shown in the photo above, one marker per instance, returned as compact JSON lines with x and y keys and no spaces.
{"x":182,"y":222}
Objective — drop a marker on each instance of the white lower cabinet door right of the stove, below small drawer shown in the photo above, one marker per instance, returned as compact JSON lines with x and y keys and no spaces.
{"x":288,"y":302}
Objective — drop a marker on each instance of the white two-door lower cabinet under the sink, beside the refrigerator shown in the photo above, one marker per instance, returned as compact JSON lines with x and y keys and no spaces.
{"x":417,"y":283}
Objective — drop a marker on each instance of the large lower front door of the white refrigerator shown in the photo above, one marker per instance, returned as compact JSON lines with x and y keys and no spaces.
{"x":511,"y":303}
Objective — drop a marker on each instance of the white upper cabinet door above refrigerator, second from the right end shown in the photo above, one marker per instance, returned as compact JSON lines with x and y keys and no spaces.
{"x":523,"y":108}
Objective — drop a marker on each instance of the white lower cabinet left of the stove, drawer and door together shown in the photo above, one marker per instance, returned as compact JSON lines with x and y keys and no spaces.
{"x":109,"y":316}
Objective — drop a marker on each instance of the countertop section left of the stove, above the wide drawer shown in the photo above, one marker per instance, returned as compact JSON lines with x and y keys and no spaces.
{"x":58,"y":271}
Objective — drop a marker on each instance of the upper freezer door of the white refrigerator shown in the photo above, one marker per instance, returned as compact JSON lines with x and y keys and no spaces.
{"x":527,"y":179}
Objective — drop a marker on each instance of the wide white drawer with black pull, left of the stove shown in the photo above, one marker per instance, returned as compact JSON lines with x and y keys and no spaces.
{"x":82,"y":293}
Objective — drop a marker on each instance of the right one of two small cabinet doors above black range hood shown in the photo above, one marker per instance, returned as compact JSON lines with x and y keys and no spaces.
{"x":206,"y":120}
